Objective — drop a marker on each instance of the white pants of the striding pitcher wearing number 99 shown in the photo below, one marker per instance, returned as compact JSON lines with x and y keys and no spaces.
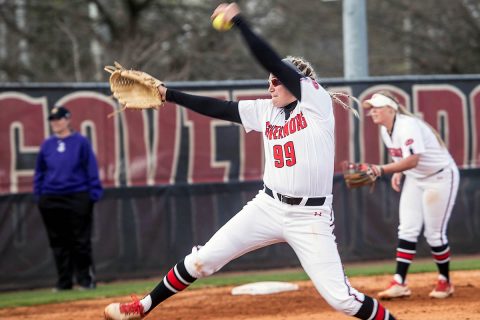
{"x":308,"y":230}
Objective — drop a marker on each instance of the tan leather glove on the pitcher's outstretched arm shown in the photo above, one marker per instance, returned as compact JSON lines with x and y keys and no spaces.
{"x":134,"y":89}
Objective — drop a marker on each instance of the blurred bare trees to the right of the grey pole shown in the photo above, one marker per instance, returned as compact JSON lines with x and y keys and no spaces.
{"x":441,"y":37}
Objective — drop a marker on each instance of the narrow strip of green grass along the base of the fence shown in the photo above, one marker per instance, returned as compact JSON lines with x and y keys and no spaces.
{"x":45,"y":296}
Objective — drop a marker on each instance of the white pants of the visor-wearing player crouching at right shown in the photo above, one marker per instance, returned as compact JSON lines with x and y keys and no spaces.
{"x":428,"y":202}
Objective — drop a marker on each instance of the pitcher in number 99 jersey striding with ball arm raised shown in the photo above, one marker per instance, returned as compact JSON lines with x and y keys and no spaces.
{"x":295,"y":206}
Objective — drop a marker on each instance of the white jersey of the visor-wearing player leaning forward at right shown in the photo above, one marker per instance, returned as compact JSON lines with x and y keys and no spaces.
{"x":412,"y":136}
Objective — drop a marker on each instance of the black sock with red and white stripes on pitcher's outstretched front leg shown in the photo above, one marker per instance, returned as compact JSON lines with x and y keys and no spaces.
{"x":176,"y":280}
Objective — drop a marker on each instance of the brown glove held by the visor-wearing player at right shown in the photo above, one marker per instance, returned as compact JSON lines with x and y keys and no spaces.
{"x":360,"y":174}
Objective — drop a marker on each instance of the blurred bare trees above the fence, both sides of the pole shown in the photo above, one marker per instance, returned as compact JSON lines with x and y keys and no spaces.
{"x":70,"y":40}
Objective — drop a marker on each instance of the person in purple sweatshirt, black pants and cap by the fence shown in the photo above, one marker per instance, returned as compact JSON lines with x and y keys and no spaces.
{"x":66,"y":185}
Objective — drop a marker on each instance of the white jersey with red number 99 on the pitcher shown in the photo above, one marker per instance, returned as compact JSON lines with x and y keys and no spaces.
{"x":299,"y":152}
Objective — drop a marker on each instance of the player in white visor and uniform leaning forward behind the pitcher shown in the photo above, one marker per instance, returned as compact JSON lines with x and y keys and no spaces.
{"x":428,"y":191}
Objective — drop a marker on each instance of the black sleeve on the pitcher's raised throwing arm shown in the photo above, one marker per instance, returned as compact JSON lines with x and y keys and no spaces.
{"x":269,"y":59}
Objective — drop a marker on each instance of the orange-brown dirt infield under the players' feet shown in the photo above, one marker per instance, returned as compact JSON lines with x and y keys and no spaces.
{"x":304,"y":304}
